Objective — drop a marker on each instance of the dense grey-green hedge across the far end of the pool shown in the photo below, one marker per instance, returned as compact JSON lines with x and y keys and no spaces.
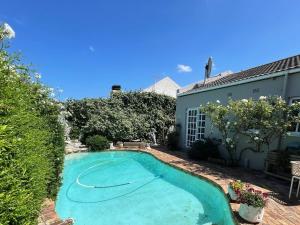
{"x":123,"y":117}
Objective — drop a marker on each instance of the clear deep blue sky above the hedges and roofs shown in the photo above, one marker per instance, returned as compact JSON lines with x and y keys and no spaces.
{"x":86,"y":46}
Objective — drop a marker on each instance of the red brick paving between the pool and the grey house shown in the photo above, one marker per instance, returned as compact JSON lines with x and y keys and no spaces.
{"x":279,"y":210}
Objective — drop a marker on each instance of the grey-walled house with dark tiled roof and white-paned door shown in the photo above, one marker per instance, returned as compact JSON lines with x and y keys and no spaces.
{"x":279,"y":78}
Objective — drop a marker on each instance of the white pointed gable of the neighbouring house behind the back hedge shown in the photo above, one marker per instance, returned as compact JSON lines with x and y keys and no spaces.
{"x":165,"y":86}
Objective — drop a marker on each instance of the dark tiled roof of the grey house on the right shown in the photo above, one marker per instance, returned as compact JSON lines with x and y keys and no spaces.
{"x":273,"y":67}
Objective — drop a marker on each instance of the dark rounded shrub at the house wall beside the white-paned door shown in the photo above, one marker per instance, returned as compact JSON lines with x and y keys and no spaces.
{"x":202,"y":149}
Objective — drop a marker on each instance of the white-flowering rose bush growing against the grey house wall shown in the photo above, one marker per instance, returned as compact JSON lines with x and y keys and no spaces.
{"x":260,"y":121}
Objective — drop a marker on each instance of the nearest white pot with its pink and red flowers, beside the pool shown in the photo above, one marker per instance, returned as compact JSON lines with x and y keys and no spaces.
{"x":252,"y":205}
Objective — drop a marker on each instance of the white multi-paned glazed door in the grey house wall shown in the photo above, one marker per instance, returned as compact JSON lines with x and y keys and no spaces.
{"x":196,"y":124}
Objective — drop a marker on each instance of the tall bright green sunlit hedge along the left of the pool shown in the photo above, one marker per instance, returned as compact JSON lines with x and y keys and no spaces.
{"x":31,"y":143}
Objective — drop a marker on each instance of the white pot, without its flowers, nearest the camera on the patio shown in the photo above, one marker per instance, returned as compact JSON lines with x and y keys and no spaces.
{"x":251,"y":214}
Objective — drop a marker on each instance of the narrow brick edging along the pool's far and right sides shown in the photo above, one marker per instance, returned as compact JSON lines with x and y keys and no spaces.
{"x":234,"y":219}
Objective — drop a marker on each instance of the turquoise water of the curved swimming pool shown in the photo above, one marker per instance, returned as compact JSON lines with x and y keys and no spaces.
{"x":134,"y":188}
